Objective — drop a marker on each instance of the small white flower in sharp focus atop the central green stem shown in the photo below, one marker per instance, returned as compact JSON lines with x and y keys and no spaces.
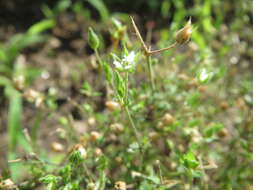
{"x":127,"y":62}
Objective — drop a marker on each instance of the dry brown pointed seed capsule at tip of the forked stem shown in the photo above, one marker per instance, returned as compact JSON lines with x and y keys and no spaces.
{"x":184,"y":34}
